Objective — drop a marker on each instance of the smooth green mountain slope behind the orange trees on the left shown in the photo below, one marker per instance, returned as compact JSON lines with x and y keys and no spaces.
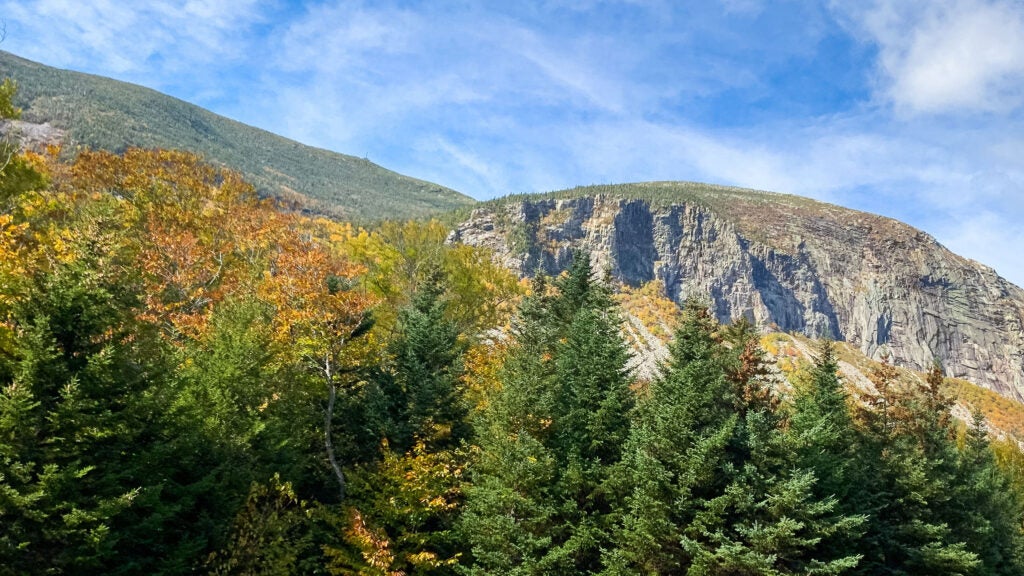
{"x":101,"y":113}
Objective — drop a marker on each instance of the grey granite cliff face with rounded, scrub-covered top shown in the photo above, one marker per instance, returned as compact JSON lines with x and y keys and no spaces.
{"x":787,"y":263}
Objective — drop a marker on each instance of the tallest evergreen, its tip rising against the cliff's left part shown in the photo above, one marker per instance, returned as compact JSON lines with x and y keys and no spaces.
{"x":541,"y":502}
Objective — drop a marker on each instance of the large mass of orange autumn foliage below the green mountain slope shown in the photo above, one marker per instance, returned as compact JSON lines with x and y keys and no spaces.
{"x":194,"y":235}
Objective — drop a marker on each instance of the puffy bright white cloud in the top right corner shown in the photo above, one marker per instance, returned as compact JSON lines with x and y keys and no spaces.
{"x":947,"y":56}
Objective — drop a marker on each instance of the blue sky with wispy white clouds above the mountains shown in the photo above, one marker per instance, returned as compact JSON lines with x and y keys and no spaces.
{"x":911,"y":109}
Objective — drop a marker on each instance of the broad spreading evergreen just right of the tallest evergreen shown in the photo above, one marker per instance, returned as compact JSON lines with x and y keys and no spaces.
{"x":715,"y":488}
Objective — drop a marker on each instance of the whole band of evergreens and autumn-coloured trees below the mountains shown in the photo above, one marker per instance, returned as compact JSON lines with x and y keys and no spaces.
{"x":193,"y":382}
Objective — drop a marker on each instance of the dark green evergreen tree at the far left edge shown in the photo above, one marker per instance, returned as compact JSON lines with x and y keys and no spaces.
{"x":74,"y":410}
